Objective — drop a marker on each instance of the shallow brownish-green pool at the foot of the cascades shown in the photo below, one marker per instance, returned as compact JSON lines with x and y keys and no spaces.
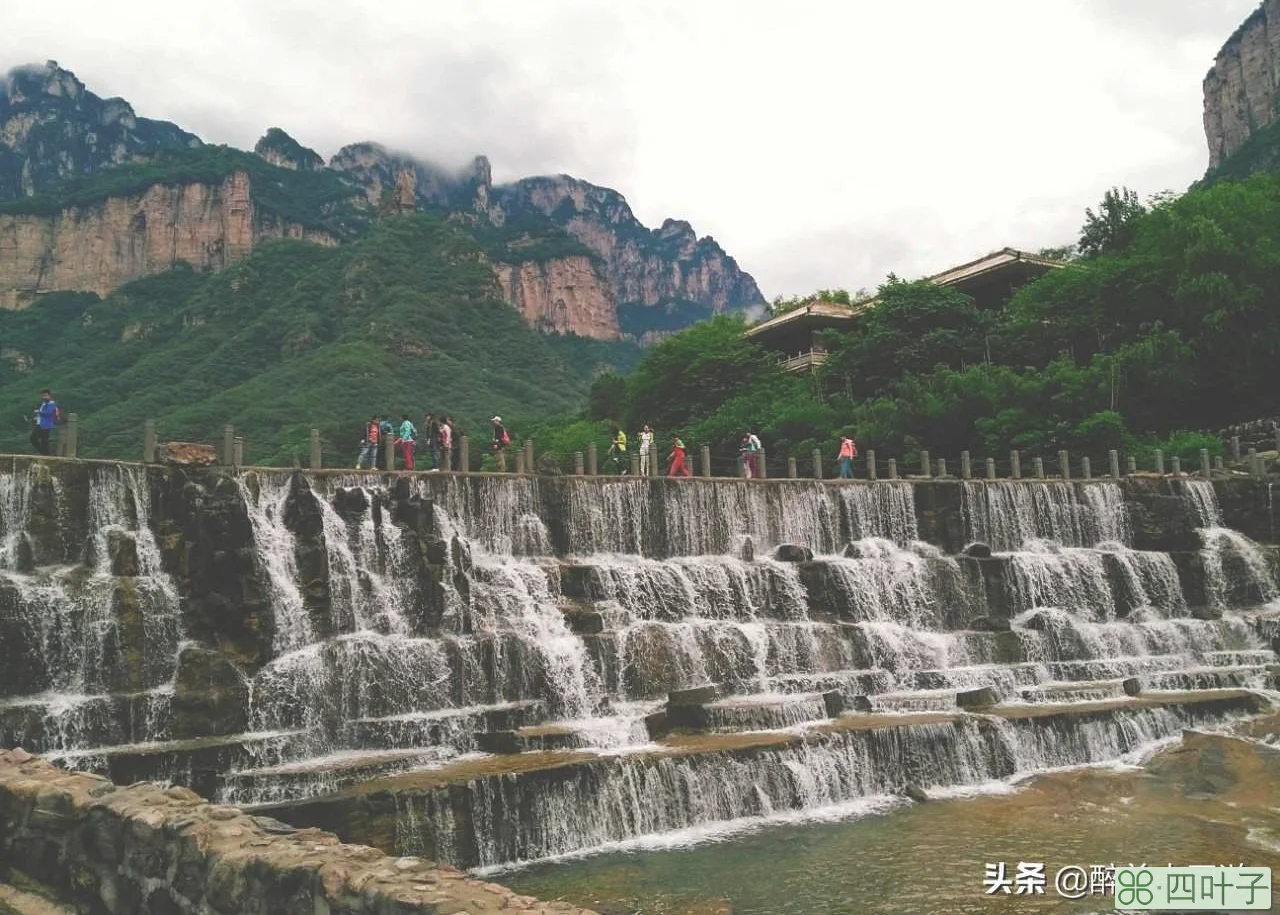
{"x":1212,"y":807}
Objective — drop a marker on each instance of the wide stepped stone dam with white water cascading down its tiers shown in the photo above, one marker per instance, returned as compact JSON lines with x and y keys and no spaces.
{"x":491,"y":670}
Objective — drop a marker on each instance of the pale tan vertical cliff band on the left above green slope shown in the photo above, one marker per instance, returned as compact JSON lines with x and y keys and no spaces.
{"x":98,"y":248}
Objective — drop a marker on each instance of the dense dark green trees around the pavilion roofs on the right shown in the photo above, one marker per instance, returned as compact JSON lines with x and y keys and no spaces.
{"x":1169,"y":323}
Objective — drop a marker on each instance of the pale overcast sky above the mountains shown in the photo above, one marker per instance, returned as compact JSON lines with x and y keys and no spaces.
{"x":822,"y":143}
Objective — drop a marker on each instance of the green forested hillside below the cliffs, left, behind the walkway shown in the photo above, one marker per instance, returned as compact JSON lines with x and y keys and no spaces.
{"x":298,"y":336}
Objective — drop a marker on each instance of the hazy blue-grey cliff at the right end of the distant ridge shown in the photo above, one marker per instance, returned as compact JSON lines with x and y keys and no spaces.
{"x":653,"y":273}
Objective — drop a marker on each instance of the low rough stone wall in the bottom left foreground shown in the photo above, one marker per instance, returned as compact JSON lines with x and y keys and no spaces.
{"x":149,"y":850}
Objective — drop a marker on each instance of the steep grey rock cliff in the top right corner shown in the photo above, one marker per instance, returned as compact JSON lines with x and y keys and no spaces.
{"x":1242,"y":90}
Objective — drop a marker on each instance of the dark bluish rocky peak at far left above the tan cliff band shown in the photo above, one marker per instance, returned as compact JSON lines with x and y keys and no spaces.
{"x":52,"y":129}
